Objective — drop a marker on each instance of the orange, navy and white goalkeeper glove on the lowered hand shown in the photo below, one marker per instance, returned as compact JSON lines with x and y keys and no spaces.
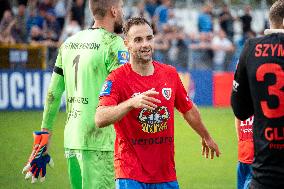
{"x":38,"y":159}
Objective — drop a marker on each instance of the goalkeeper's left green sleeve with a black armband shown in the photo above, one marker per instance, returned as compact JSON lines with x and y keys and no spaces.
{"x":54,"y":94}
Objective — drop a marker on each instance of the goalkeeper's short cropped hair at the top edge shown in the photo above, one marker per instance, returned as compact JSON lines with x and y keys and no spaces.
{"x":99,"y":7}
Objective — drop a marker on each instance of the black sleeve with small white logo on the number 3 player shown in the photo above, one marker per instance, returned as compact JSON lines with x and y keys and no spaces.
{"x":241,"y":101}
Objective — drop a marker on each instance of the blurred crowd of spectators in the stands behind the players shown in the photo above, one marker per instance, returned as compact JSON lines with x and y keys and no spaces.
{"x":50,"y":22}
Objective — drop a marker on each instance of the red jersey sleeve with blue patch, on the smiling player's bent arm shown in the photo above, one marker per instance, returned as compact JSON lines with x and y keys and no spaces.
{"x":109,"y":94}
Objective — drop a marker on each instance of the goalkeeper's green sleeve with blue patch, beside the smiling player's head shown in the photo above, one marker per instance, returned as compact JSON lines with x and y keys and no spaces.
{"x":117,"y":54}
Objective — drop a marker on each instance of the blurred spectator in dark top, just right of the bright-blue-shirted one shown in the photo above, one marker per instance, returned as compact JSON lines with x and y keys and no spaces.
{"x":226,"y":22}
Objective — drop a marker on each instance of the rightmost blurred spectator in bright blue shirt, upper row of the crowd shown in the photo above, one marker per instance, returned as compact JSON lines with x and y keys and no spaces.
{"x":205,"y":23}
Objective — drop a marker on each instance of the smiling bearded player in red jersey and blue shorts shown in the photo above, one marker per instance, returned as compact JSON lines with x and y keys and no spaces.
{"x":140,"y":97}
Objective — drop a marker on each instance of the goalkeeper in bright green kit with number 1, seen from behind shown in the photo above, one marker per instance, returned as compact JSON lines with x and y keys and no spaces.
{"x":83,"y":63}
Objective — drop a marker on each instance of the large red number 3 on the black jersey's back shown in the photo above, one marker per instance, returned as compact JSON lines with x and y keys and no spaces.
{"x":276,"y":89}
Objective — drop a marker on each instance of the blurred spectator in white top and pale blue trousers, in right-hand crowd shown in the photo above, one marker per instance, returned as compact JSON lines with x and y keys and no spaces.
{"x":221,"y":45}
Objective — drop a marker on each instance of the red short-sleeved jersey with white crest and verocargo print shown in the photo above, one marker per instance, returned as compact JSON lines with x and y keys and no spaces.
{"x":144,"y":145}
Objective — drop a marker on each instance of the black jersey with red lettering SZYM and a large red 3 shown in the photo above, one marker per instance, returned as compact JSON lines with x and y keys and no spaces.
{"x":258,"y":88}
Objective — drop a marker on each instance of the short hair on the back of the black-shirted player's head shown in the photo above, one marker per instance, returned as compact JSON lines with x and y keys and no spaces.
{"x":276,"y":13}
